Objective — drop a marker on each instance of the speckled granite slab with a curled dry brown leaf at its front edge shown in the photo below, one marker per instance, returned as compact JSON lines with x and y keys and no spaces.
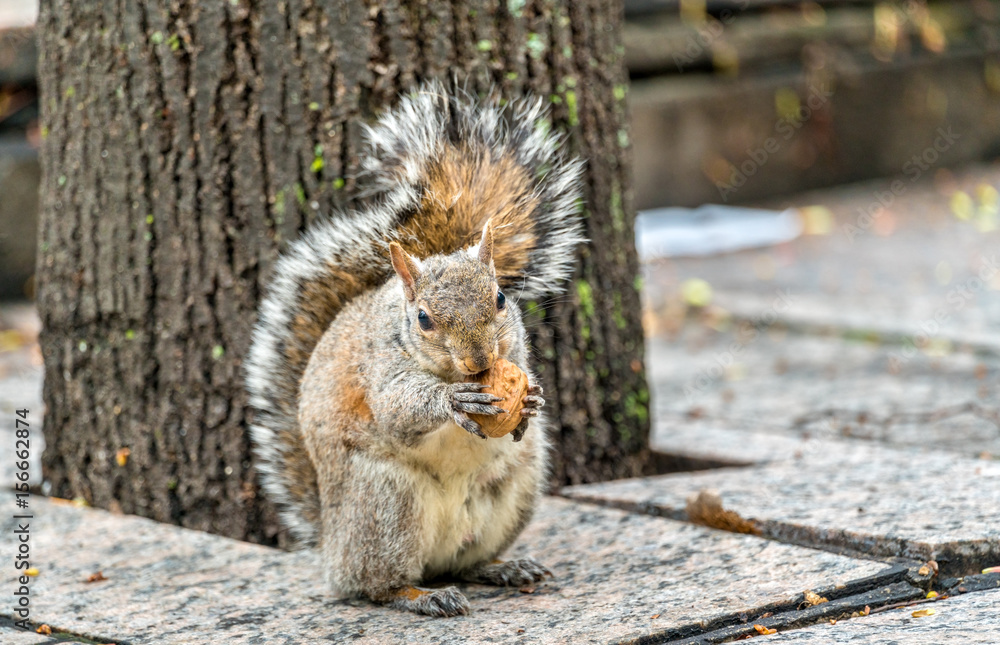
{"x":845,"y":495}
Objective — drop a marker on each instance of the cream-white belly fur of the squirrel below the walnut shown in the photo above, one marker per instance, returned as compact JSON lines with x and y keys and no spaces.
{"x":469,"y":492}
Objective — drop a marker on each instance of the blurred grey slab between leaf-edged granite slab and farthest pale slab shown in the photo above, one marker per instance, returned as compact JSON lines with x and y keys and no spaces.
{"x":823,"y":387}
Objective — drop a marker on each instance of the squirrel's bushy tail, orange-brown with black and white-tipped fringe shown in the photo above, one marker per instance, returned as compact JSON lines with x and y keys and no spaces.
{"x":439,"y":166}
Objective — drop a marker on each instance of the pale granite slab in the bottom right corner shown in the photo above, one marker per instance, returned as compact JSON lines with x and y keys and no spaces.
{"x":970,"y":618}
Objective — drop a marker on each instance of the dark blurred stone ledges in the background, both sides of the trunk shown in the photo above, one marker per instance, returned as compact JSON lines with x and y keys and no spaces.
{"x":776,"y":96}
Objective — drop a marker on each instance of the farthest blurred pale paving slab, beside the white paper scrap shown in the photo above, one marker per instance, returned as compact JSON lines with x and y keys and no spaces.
{"x":925,"y":267}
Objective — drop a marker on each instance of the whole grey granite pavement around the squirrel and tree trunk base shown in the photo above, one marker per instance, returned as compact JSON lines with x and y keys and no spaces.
{"x":828,"y":453}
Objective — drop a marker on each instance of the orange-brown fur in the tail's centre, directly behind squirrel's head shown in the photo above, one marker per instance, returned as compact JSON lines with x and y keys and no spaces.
{"x":464,"y":189}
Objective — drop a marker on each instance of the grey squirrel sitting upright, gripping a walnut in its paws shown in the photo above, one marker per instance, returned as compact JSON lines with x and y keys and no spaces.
{"x":372,"y":325}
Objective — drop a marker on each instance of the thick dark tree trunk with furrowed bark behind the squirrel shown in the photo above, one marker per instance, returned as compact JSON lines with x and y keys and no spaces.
{"x":186,"y":142}
